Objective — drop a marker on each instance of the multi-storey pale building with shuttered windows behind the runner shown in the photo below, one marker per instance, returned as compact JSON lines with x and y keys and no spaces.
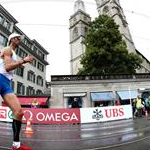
{"x":30,"y":78}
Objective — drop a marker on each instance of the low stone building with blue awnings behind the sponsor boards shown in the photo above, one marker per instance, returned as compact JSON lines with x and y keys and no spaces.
{"x":93,"y":91}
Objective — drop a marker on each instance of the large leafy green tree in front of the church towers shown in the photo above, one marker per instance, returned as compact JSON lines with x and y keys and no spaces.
{"x":106,"y":52}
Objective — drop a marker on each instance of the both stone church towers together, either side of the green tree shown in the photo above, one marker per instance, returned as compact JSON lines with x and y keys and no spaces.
{"x":79,"y":23}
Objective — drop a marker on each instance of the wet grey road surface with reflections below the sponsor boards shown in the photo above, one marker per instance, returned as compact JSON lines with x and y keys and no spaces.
{"x":117,"y":135}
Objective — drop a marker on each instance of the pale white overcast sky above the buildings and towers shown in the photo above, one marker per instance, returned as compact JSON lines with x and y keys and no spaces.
{"x":47,"y":21}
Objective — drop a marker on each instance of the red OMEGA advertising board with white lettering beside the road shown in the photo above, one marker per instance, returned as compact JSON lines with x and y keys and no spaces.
{"x":51,"y":116}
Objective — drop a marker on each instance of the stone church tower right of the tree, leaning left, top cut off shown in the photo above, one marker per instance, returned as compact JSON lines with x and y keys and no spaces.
{"x":114,"y":10}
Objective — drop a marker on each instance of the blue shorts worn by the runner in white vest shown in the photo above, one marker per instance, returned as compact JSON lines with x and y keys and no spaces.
{"x":5,"y":87}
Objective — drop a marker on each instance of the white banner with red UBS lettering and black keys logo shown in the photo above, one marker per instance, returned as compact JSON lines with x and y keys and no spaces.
{"x":100,"y":114}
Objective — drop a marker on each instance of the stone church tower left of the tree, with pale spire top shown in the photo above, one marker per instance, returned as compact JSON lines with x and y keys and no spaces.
{"x":79,"y":23}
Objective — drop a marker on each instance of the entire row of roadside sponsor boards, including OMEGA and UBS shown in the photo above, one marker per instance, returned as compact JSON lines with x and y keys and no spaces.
{"x":66,"y":116}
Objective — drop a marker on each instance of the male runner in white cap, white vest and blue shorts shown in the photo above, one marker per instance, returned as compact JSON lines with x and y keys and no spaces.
{"x":8,"y":62}
